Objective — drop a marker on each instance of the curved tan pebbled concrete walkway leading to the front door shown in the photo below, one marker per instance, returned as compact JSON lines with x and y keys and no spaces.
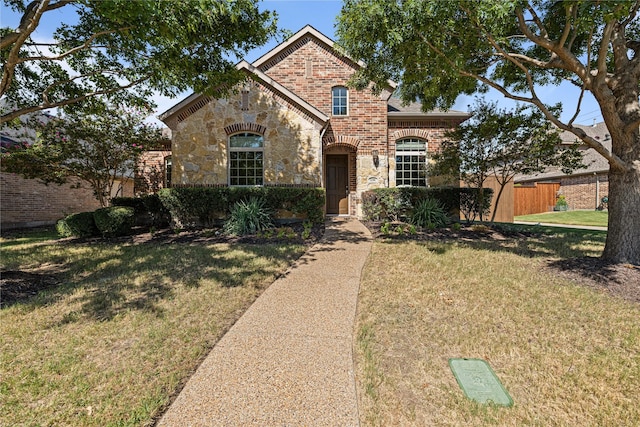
{"x":288,"y":360}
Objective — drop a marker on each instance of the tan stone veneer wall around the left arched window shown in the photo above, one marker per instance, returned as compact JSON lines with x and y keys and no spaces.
{"x":292,"y":148}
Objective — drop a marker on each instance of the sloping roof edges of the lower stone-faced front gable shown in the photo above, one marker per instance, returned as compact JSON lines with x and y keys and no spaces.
{"x":196,"y":101}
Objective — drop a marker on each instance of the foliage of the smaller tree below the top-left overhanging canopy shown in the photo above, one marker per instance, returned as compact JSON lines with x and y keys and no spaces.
{"x":96,"y":148}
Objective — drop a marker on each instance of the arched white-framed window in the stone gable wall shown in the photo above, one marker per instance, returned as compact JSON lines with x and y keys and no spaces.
{"x":246,"y":154}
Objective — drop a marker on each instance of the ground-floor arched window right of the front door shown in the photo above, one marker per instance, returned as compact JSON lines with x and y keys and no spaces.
{"x":411,"y":162}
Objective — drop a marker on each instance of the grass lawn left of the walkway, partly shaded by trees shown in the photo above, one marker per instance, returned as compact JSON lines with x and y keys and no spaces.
{"x":125,"y":327}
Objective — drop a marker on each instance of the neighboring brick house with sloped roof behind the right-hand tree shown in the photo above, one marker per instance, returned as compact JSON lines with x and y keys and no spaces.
{"x":584,"y":188}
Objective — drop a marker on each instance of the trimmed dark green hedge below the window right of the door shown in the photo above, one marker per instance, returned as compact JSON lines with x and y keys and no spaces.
{"x":394,"y":204}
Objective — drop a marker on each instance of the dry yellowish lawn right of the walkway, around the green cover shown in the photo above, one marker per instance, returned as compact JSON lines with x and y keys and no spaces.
{"x":567,"y":354}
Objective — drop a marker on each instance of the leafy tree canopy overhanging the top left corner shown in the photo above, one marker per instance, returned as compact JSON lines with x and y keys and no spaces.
{"x":124,"y":50}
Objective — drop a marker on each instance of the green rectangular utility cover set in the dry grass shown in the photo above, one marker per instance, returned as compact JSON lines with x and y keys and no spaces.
{"x":479,"y":382}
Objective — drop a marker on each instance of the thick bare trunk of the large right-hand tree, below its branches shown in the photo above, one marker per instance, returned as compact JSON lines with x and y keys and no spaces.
{"x":623,"y":237}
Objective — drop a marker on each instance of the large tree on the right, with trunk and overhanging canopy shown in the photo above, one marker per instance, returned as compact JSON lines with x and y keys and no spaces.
{"x":441,"y":49}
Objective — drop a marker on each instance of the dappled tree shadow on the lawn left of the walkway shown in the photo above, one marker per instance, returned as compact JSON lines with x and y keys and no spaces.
{"x":120,"y":277}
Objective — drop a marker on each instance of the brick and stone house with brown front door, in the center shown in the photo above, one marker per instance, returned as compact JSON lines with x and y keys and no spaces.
{"x":295,"y":122}
